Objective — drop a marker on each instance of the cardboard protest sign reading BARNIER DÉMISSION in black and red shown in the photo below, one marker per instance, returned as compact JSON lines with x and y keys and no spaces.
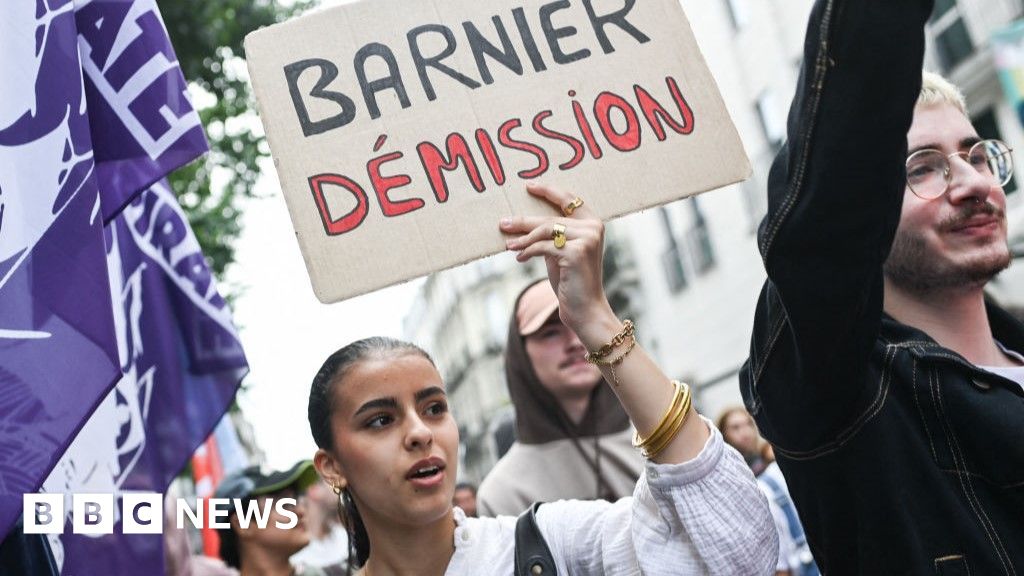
{"x":404,"y":130}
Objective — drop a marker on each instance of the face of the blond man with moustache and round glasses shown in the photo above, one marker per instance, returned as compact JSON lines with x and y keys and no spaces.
{"x":960,"y":240}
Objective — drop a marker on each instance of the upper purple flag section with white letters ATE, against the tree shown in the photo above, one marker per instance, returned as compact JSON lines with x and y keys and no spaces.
{"x":138,"y":99}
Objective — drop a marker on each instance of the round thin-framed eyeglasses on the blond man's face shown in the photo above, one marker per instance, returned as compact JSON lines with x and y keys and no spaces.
{"x":929,"y":173}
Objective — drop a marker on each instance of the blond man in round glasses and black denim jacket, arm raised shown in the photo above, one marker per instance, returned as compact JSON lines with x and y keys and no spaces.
{"x":892,"y":392}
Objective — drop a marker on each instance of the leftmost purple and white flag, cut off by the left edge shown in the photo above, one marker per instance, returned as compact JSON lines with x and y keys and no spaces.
{"x":58,"y":348}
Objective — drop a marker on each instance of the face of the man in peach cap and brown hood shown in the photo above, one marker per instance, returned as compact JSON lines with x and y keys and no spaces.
{"x":558,"y":357}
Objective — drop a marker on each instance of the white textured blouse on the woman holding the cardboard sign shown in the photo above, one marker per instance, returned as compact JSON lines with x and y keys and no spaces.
{"x":706,"y":516}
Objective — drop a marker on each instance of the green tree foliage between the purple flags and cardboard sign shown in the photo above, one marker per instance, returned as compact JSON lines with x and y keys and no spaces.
{"x":207,"y":37}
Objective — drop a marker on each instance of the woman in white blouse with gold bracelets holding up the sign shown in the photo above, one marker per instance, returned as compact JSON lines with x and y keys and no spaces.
{"x":390,"y":447}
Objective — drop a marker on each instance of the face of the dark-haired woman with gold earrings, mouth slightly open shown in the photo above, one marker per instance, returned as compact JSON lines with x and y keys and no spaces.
{"x":396,"y":443}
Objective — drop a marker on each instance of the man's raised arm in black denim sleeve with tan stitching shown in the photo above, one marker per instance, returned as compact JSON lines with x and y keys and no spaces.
{"x":835,"y":195}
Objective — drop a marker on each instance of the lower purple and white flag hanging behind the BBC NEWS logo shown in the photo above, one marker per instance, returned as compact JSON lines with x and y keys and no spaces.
{"x":183,"y":363}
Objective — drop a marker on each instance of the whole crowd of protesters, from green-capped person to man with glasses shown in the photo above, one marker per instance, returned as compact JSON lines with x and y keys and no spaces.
{"x":883,"y":390}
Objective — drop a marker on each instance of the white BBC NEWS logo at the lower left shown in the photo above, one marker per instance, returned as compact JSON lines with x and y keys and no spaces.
{"x":143,"y":513}
